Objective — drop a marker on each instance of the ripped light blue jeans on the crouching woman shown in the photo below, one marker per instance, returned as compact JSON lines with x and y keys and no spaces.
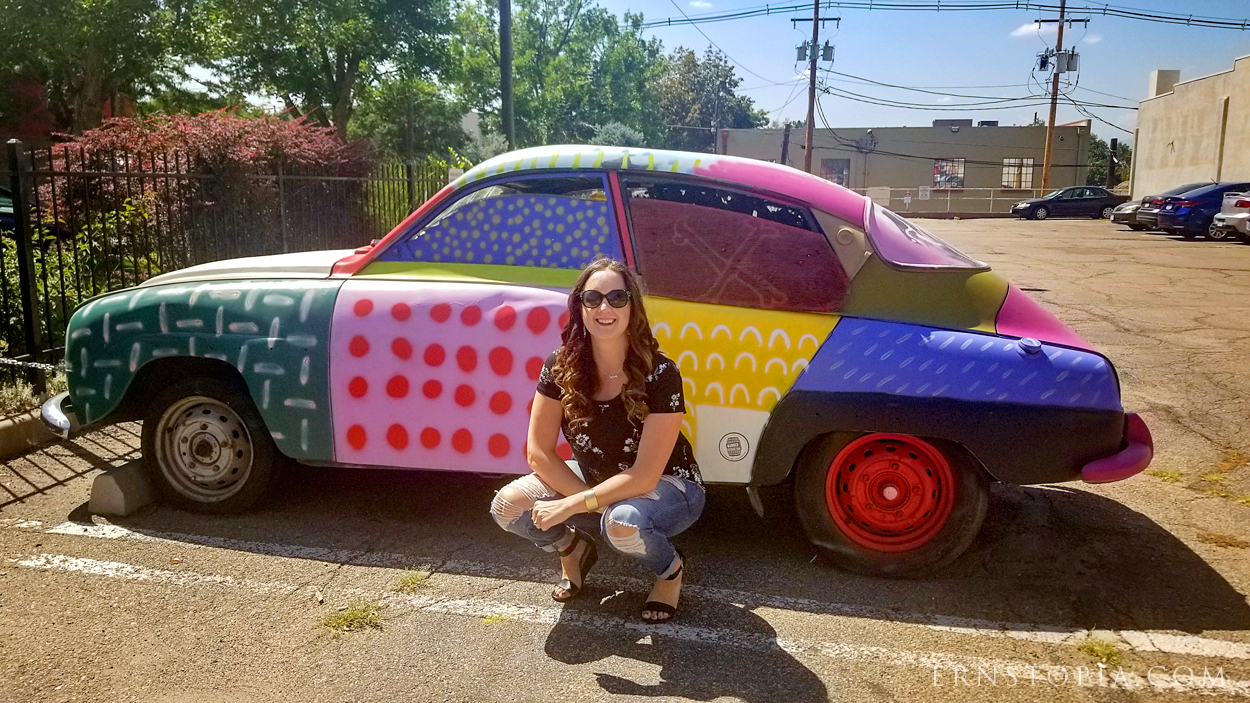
{"x":638,"y":527}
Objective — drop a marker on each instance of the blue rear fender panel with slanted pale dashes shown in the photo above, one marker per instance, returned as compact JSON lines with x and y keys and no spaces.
{"x":901,"y":360}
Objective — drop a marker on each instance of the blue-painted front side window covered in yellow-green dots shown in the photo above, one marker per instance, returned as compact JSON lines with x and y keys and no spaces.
{"x":552,"y":222}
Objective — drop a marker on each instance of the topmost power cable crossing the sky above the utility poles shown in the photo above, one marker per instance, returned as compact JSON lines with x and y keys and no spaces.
{"x":966,"y":7}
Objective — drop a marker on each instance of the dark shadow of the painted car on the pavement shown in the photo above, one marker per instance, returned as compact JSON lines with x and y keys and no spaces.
{"x":1052,"y":559}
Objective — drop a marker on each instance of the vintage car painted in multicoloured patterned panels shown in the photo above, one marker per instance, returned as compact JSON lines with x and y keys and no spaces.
{"x":823,"y":341}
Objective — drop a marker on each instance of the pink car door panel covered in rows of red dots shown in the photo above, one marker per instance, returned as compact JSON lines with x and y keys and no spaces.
{"x":438,"y":376}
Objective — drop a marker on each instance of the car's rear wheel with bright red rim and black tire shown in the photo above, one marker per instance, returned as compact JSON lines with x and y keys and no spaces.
{"x":891,"y":505}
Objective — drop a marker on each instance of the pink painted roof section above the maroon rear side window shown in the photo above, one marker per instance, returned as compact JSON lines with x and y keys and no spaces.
{"x":802,"y":187}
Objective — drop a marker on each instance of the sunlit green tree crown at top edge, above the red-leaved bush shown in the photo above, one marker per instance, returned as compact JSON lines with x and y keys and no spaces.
{"x":319,"y":56}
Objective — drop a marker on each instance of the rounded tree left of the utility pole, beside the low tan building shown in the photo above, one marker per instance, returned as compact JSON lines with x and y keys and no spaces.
{"x":696,"y":97}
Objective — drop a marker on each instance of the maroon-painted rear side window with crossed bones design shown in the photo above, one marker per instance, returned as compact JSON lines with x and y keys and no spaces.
{"x":716,"y":246}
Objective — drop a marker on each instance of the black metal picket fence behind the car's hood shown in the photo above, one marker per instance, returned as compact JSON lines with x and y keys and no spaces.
{"x":86,"y":223}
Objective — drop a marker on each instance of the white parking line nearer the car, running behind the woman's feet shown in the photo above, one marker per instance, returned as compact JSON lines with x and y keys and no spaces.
{"x":1141,"y":641}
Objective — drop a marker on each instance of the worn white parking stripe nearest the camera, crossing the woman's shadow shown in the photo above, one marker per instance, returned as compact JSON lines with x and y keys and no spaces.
{"x":717,"y":637}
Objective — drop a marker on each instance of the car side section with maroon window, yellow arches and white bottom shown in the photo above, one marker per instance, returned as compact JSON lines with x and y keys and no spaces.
{"x":743,"y":291}
